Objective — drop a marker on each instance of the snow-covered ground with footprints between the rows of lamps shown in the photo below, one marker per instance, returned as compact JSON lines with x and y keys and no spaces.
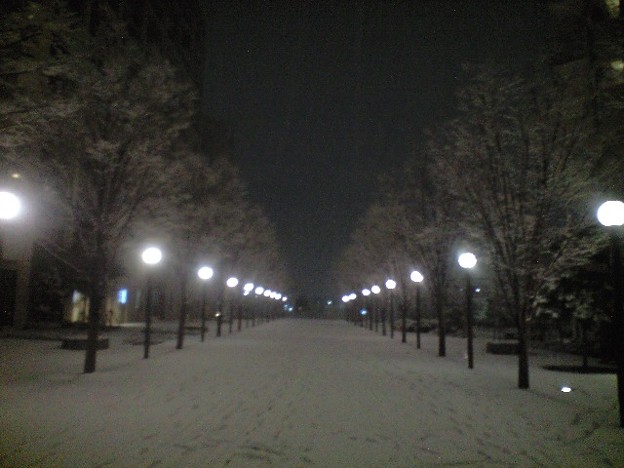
{"x":297,"y":393}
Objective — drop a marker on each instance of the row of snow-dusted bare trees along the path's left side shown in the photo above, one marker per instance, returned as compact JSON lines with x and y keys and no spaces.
{"x":104,"y":129}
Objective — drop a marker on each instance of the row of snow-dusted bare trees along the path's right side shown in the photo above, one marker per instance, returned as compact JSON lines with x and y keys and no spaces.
{"x":516,"y":177}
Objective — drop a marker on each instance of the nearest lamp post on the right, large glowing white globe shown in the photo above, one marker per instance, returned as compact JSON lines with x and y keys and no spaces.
{"x":611,"y":214}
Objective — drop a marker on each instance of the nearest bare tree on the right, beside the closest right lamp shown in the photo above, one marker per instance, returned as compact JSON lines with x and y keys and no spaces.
{"x":520,"y":166}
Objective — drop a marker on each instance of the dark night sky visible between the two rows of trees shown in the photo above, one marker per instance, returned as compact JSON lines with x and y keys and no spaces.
{"x":324,"y":96}
